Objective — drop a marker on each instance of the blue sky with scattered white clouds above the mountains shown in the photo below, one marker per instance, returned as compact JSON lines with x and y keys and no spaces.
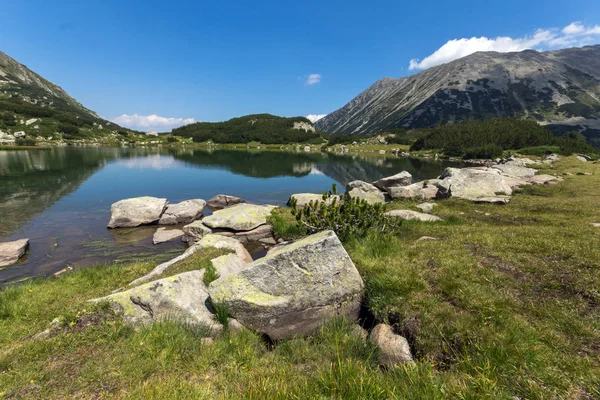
{"x":210,"y":61}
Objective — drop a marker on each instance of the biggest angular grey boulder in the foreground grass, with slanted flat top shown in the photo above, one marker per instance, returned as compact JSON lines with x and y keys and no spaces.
{"x":294,"y":290}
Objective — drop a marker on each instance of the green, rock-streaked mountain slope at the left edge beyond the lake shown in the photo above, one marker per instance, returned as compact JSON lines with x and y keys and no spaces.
{"x":37,"y":107}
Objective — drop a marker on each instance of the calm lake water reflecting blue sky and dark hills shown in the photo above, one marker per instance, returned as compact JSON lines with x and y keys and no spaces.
{"x":60,"y":198}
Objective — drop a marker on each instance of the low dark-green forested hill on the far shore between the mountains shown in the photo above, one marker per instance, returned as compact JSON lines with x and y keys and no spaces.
{"x":263,"y":128}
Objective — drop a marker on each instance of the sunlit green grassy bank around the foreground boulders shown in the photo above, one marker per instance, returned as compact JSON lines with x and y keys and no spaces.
{"x":505,"y":302}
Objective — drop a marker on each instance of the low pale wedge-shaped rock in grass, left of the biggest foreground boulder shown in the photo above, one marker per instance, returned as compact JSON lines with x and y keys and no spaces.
{"x":180,"y":297}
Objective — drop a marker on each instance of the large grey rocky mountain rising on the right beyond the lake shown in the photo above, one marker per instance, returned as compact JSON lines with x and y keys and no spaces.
{"x":557,"y":87}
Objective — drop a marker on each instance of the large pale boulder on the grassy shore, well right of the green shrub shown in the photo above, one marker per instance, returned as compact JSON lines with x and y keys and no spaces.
{"x":478,"y":184}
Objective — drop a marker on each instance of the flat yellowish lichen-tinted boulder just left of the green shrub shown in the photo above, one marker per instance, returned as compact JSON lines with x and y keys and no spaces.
{"x":241,"y":217}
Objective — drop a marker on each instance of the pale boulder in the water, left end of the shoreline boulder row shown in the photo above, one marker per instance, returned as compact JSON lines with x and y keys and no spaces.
{"x":134,"y":212}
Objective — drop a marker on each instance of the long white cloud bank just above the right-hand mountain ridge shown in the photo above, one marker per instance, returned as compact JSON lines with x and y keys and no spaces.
{"x":574,"y":34}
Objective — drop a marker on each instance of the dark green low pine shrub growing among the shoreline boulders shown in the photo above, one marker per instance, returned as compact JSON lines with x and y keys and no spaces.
{"x":348,"y":217}
